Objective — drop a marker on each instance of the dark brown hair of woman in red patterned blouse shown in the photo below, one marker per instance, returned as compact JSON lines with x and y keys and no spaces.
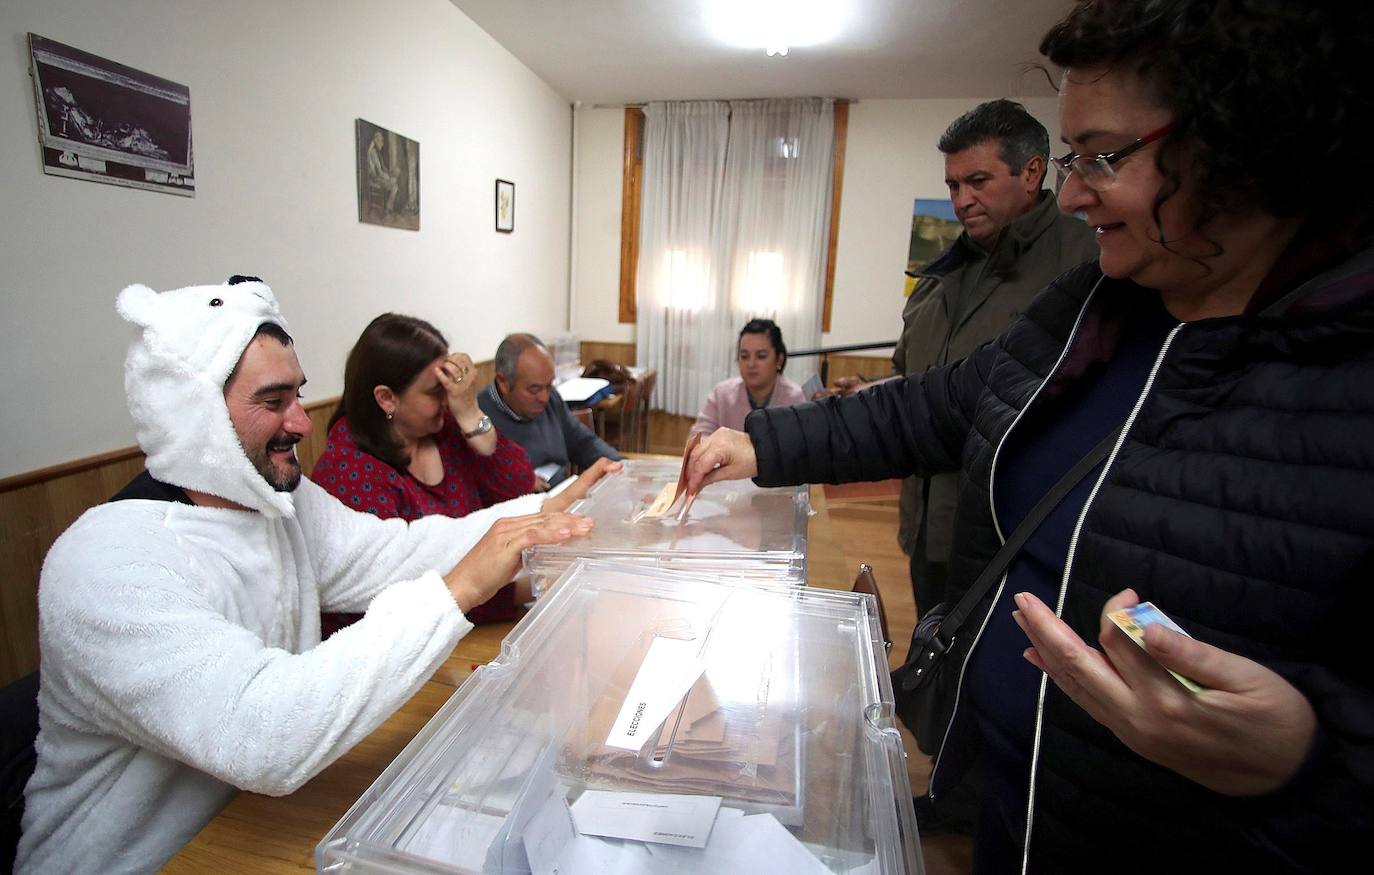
{"x":392,"y":352}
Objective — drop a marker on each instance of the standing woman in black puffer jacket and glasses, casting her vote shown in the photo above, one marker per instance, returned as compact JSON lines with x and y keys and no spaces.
{"x":1229,"y":333}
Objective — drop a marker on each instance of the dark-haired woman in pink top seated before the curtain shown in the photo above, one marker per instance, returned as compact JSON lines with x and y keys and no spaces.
{"x":762,"y":356}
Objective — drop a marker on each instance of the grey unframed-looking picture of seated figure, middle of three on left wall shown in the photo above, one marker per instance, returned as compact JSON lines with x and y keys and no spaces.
{"x":388,"y":178}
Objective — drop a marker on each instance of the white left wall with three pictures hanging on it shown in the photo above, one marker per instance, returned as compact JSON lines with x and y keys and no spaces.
{"x":275,"y":89}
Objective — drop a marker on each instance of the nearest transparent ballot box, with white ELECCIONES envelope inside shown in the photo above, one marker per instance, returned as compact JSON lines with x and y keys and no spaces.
{"x":642,"y":720}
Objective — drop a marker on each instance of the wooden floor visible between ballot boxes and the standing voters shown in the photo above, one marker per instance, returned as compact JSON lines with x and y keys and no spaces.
{"x":865,"y":523}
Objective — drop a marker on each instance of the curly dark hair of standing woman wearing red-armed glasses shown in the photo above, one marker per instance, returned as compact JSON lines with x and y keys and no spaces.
{"x":1268,"y":95}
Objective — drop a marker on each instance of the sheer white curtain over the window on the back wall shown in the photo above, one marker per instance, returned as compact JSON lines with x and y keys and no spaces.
{"x":734,"y":219}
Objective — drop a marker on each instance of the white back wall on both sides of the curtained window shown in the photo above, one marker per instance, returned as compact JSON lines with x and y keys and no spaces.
{"x":891,"y":159}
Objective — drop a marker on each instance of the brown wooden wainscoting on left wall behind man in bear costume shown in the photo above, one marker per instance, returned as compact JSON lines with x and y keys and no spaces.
{"x":39,"y":506}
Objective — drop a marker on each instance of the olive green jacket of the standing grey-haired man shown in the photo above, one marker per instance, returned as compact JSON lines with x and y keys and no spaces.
{"x":965,"y":299}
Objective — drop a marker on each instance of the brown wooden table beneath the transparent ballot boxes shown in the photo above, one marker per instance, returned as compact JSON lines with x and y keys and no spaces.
{"x":278,"y":834}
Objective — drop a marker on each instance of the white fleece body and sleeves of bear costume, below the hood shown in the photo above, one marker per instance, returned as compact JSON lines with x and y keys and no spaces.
{"x":182,"y":660}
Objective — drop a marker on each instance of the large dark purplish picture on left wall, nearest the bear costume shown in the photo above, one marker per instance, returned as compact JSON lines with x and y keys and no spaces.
{"x":106,"y":123}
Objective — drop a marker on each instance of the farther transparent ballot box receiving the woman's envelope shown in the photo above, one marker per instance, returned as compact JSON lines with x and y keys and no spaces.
{"x":733,"y":528}
